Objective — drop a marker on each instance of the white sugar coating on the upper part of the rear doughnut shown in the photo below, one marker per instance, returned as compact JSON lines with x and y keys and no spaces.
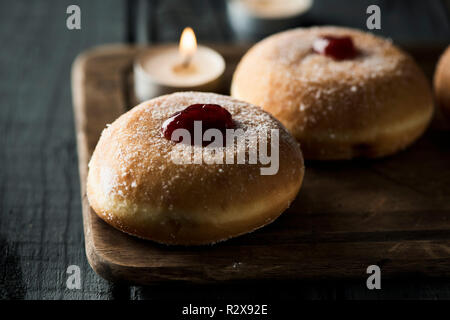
{"x":320,"y":76}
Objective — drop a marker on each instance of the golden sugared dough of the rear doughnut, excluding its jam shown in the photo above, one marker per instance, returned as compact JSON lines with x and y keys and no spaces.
{"x":369,"y":106}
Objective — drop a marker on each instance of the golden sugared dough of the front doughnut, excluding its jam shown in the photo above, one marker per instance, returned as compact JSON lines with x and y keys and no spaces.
{"x":134,"y":185}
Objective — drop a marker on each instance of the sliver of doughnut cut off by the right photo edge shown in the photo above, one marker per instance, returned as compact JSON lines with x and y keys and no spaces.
{"x":442,"y":82}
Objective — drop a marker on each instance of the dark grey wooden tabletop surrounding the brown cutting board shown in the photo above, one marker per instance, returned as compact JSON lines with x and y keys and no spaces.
{"x":41,"y":231}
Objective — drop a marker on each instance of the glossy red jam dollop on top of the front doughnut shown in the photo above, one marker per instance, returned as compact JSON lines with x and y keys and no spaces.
{"x":212,"y":116}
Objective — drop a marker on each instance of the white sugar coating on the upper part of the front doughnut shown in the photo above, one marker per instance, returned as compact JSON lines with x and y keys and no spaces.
{"x":140,"y":147}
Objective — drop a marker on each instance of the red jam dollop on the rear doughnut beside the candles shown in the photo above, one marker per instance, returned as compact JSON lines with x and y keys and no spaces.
{"x":338,"y":48}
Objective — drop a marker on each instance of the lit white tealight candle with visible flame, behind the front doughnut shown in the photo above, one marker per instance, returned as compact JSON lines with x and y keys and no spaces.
{"x":169,"y":68}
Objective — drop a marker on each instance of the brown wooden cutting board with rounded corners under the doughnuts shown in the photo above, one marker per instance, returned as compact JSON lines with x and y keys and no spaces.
{"x":393,"y":212}
